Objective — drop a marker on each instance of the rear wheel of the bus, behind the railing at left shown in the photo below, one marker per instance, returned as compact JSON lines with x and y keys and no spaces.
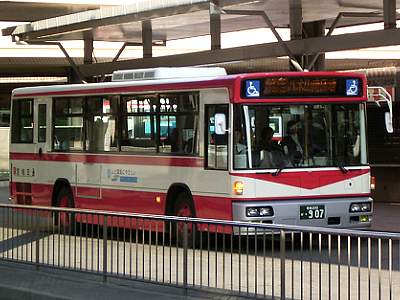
{"x":65,"y":221}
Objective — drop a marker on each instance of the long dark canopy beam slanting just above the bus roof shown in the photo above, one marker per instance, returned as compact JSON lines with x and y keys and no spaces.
{"x":350,"y":41}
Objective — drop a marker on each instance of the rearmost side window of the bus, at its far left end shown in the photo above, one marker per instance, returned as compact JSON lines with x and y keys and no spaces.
{"x":22,"y":125}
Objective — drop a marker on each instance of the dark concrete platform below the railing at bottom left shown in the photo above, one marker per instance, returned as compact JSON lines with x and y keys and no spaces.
{"x":19,"y":281}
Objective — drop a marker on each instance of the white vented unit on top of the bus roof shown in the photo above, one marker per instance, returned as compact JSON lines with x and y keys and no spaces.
{"x":165,"y":73}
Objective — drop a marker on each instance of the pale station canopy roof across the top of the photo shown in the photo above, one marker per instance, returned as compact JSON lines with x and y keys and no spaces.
{"x":171,"y":20}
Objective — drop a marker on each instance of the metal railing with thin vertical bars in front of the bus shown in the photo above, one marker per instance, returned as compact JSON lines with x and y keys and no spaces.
{"x":259,"y":260}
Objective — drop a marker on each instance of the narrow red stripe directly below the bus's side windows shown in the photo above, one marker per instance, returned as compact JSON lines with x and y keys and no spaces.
{"x":193,"y":162}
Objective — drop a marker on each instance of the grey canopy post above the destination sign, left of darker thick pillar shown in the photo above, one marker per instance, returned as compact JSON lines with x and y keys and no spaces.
{"x":296,"y":26}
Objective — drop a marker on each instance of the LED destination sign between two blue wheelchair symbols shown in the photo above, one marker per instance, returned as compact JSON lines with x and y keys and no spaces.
{"x":301,"y":87}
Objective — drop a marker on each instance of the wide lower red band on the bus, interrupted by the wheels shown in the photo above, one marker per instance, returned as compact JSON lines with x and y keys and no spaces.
{"x":209,"y":207}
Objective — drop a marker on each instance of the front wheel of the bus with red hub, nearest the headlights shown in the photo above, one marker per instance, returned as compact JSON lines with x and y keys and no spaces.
{"x":183,"y":207}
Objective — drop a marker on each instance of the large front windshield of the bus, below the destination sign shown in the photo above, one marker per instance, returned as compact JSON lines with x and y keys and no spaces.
{"x":299,"y":136}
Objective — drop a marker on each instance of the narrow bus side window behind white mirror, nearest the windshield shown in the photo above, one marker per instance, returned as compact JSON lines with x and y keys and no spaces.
{"x":216,"y":144}
